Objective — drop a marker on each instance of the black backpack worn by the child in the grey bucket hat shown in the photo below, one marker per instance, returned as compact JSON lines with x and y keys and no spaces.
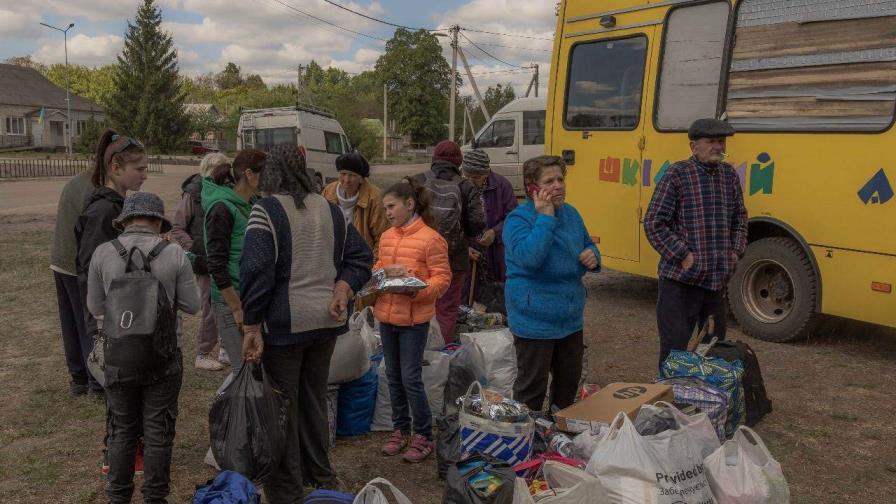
{"x":139,"y":323}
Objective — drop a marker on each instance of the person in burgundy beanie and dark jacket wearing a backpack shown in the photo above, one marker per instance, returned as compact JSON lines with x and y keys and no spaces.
{"x":465,"y":225}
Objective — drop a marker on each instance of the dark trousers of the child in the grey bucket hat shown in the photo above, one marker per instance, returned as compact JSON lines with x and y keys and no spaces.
{"x":152,"y":410}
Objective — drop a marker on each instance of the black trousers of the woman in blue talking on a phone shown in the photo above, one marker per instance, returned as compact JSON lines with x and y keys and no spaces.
{"x":536,"y":358}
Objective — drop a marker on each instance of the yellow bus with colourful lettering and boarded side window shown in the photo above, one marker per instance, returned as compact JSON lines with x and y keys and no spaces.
{"x":810,"y":87}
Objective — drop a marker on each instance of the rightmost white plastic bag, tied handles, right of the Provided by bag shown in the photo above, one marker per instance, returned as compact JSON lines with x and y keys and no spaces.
{"x":743,"y":471}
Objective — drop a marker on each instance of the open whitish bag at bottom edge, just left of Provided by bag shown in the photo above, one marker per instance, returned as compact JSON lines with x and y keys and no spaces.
{"x":567,"y":485}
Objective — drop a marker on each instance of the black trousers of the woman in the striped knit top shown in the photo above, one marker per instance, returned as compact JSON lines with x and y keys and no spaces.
{"x":301,"y":371}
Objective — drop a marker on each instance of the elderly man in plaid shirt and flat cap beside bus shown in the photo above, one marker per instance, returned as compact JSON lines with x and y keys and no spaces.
{"x":698,"y":223}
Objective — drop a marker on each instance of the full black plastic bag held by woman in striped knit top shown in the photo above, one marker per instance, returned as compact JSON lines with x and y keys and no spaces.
{"x":247,"y":424}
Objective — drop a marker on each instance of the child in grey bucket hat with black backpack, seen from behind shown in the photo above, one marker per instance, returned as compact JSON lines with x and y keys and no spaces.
{"x":136,"y":284}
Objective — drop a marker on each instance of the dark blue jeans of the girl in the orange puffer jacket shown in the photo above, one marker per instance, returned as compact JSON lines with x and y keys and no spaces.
{"x":403,"y":348}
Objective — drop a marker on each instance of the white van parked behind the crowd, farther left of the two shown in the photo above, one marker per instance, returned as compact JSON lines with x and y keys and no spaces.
{"x":313,"y":130}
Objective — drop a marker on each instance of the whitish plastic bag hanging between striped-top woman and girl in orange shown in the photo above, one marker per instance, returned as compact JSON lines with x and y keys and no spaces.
{"x":351,"y":357}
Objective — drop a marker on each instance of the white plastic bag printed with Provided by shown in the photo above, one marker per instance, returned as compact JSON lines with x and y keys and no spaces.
{"x":662,"y":469}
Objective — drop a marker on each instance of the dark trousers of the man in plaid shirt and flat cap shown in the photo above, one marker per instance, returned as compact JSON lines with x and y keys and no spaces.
{"x":680,"y":308}
